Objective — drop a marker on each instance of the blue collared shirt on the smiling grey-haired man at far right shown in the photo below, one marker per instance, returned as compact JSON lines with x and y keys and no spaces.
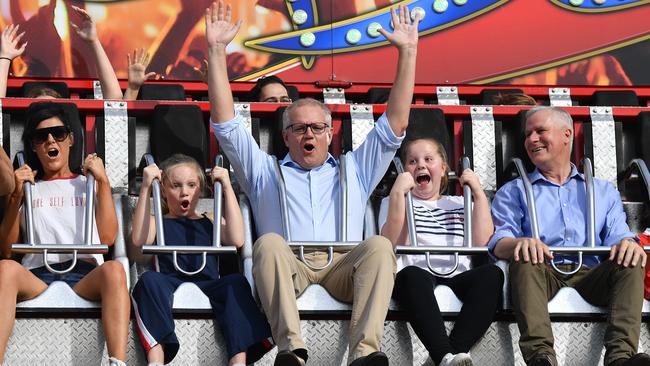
{"x":561,"y":213}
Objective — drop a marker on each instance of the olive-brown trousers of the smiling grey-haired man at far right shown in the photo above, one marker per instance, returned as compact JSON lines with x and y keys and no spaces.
{"x":609,"y":285}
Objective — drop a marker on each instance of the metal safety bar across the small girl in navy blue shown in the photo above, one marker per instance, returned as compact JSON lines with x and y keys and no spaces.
{"x":162,"y":248}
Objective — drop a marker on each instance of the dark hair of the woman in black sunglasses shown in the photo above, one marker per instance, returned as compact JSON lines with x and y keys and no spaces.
{"x":36,"y":113}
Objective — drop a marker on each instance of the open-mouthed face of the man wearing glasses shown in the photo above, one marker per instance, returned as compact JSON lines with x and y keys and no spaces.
{"x":309,"y":150}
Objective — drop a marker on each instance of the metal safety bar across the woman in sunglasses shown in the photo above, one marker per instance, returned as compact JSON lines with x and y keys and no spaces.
{"x":89,"y":215}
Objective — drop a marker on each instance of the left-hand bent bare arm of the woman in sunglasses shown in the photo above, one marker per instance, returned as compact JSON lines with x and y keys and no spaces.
{"x":10,"y":227}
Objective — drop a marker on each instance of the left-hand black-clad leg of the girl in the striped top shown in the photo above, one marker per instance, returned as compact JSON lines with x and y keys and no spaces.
{"x":414,"y":293}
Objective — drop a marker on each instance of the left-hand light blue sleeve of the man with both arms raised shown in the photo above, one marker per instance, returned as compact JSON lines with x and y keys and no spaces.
{"x":243,"y":153}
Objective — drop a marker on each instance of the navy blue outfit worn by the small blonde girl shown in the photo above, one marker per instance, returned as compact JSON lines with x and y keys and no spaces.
{"x":243,"y":326}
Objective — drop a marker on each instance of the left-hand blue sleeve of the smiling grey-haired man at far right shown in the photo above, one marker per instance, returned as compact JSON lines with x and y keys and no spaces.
{"x":508,"y":215}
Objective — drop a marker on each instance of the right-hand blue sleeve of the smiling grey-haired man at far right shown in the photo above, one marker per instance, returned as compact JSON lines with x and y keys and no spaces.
{"x":615,"y":228}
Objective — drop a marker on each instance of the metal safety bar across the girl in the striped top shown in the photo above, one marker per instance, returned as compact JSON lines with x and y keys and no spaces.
{"x":467,"y":248}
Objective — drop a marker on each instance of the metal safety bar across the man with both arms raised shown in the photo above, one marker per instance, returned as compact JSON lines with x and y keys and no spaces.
{"x":342,"y":245}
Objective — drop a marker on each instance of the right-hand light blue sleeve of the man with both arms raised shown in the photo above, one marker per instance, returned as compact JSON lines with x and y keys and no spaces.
{"x":375,"y":154}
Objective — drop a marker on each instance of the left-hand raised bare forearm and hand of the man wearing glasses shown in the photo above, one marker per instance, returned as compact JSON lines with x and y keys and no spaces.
{"x":219,"y":31}
